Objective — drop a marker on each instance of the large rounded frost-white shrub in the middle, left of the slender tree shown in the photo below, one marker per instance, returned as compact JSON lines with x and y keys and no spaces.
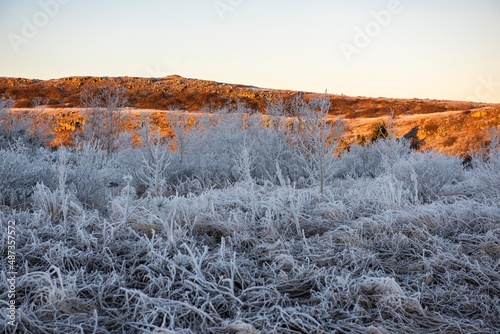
{"x":216,"y":150}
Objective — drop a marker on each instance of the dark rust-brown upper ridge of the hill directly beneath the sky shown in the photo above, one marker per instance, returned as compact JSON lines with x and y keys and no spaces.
{"x":192,"y":94}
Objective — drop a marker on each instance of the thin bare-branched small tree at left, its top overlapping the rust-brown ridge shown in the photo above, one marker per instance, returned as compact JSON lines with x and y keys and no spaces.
{"x":104,"y":117}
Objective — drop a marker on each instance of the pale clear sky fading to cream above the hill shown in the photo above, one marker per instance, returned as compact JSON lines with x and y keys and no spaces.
{"x":437,"y":49}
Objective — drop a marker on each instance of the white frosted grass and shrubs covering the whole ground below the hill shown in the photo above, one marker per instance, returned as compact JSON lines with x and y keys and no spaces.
{"x":240,"y":224}
